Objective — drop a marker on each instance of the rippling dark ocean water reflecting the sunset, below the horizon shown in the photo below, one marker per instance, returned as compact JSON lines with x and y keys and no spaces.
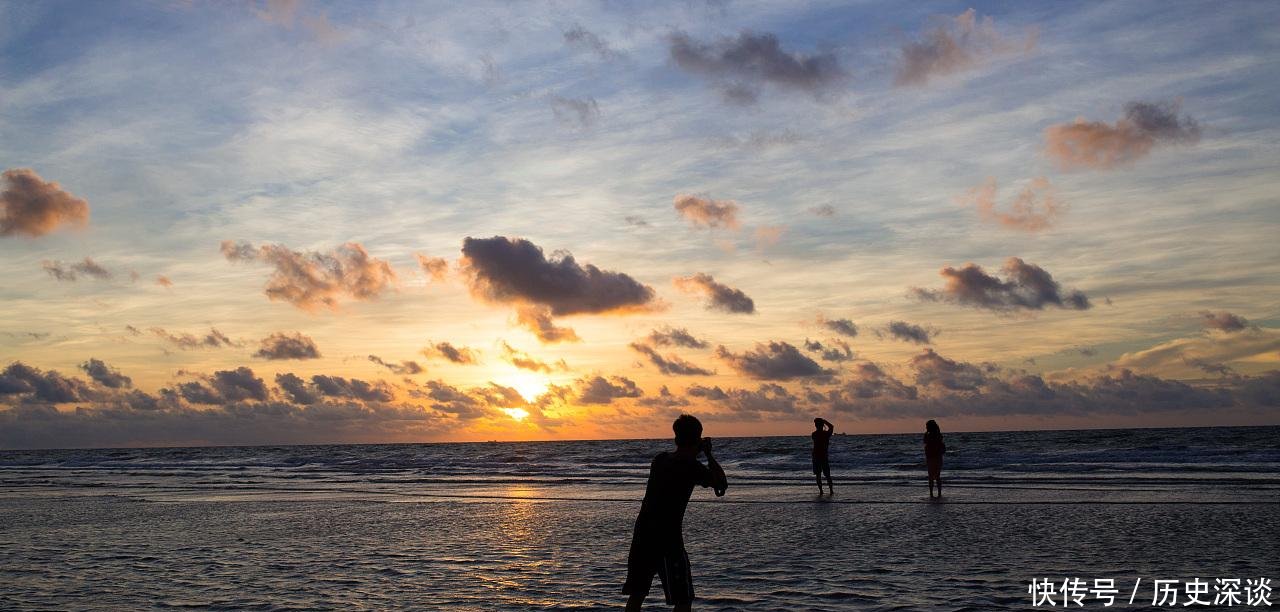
{"x":546,"y":526}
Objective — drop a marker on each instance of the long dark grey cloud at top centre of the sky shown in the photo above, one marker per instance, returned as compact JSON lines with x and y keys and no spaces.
{"x":740,"y":66}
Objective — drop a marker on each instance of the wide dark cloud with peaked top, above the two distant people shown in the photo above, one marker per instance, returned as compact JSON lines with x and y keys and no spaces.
{"x":1026,"y":287}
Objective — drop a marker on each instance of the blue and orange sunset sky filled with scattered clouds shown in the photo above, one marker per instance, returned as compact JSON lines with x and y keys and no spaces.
{"x":304,"y":222}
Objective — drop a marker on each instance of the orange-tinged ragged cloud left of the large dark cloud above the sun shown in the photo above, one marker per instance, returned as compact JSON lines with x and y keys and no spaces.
{"x":312,"y":281}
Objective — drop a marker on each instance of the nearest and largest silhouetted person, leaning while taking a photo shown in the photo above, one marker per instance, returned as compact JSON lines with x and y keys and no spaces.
{"x":659,"y":542}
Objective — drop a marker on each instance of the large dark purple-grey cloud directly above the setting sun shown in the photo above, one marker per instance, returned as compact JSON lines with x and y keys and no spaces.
{"x":514,"y":271}
